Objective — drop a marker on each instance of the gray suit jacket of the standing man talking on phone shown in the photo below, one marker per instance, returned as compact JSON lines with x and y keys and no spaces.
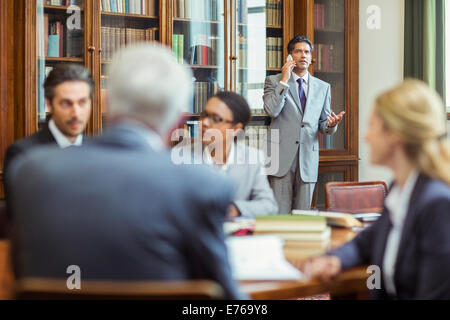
{"x":298,"y":130}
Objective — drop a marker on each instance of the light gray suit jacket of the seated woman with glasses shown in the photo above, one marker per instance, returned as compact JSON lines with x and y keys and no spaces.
{"x":252,"y":193}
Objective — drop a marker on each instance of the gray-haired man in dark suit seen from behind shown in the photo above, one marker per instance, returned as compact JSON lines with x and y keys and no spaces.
{"x":117,"y":207}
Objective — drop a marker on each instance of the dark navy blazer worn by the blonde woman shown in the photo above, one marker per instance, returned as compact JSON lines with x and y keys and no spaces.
{"x":422,"y":268}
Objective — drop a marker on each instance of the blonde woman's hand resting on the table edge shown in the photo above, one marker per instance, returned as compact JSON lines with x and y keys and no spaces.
{"x":324,"y":268}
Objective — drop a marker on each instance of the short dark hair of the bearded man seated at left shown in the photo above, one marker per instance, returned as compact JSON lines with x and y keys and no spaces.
{"x":63,"y":73}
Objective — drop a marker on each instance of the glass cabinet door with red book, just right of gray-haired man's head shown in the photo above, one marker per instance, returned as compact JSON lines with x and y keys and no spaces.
{"x":197,"y":37}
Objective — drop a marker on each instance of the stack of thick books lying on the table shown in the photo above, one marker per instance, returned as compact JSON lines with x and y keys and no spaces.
{"x":303,"y":232}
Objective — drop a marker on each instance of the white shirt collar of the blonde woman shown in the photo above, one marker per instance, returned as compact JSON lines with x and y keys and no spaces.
{"x":397,"y":201}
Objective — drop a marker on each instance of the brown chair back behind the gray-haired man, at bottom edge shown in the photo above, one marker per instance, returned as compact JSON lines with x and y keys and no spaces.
{"x":57,"y":289}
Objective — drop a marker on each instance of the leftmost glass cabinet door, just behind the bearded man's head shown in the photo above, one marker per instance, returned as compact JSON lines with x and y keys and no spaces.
{"x":60,"y":28}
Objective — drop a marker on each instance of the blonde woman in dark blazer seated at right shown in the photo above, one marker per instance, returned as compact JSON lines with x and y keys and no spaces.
{"x":411,"y":241}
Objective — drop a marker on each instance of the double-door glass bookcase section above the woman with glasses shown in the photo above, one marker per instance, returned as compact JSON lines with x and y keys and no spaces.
{"x":230,"y":34}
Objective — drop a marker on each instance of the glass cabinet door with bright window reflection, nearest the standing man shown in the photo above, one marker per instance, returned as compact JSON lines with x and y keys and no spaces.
{"x":259,"y":47}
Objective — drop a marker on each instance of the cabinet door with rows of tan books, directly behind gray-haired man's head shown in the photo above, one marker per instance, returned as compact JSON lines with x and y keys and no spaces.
{"x":123,"y":23}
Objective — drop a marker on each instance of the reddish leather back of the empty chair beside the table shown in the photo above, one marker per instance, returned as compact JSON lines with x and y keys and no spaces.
{"x":355,"y":197}
